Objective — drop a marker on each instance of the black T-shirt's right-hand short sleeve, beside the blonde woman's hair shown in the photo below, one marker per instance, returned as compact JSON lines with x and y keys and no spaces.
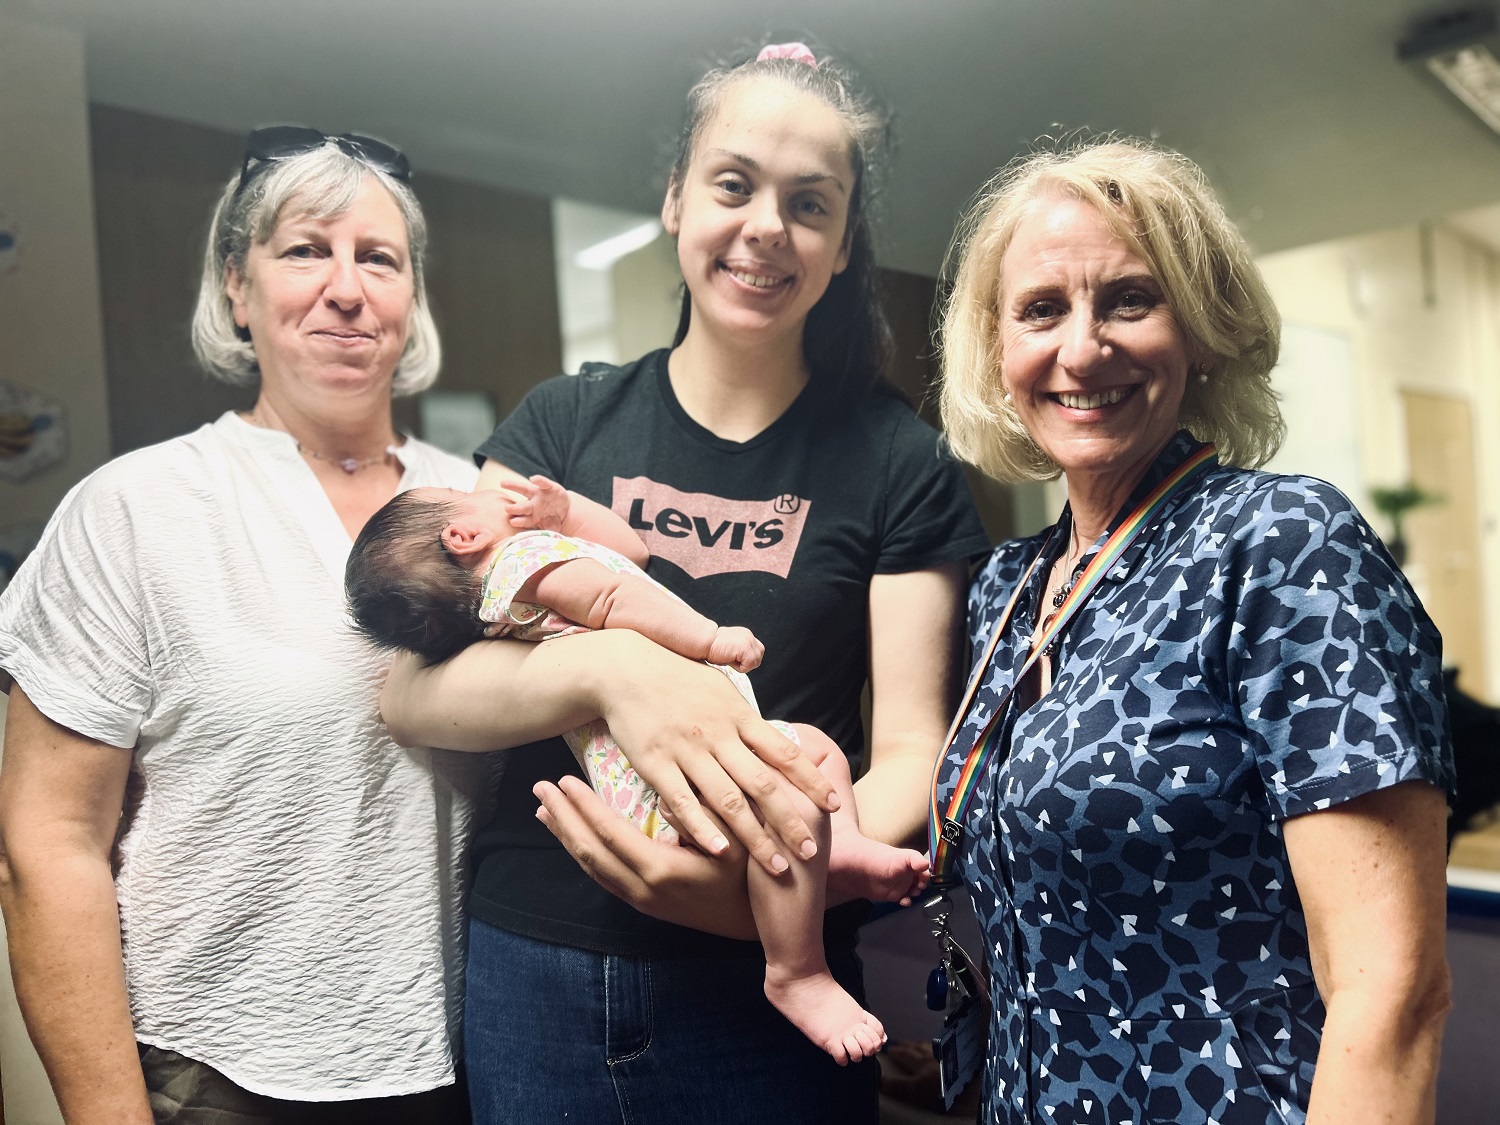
{"x":929,"y":514}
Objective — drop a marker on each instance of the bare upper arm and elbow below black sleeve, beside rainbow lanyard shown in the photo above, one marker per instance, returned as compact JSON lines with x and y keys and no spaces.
{"x":916,"y":641}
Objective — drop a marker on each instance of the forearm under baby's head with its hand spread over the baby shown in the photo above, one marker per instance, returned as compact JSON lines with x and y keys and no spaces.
{"x":683,"y":725}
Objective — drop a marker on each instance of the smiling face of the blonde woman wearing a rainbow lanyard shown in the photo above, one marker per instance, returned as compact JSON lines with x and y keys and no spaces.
{"x":1091,"y":355}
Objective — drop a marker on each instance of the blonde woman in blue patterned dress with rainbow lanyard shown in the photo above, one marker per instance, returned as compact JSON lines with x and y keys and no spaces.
{"x":1196,"y":791}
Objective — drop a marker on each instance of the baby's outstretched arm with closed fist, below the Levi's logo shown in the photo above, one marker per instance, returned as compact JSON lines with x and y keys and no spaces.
{"x":595,"y":596}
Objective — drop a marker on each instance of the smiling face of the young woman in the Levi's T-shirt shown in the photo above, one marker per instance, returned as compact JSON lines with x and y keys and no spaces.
{"x":761,"y":214}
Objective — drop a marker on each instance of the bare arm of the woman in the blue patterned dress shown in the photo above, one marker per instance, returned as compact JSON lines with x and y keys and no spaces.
{"x":1372,"y":878}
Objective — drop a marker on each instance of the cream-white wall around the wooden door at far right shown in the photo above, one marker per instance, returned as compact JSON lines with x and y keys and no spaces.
{"x":1405,"y":310}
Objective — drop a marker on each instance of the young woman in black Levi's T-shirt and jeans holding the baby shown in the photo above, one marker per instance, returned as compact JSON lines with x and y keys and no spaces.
{"x":779,"y":487}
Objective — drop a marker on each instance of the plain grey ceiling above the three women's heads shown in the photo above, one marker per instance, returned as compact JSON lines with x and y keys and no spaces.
{"x":1300,"y":112}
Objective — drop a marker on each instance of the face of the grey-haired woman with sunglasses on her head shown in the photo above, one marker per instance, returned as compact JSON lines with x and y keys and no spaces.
{"x":328,"y":302}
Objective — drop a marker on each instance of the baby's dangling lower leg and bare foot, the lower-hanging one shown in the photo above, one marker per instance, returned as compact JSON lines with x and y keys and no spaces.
{"x":790,"y":917}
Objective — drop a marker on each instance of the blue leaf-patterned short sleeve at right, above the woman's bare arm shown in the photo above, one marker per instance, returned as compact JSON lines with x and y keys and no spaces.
{"x":1336,"y":665}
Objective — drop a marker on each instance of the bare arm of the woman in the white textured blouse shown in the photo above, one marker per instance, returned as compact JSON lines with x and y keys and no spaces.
{"x":61,"y":800}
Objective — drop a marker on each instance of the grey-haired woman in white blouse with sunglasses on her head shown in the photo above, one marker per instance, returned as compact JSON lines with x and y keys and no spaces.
{"x":230,"y":896}
